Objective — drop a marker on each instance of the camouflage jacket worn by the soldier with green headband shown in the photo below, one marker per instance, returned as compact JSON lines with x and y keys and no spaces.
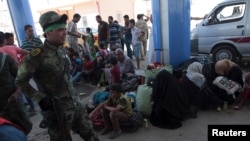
{"x":50,"y":66}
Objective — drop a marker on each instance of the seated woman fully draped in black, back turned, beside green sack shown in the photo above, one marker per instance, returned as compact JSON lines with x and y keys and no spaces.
{"x":170,"y":104}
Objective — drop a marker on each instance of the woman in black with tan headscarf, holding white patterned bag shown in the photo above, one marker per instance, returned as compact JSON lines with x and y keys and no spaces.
{"x":225,"y":68}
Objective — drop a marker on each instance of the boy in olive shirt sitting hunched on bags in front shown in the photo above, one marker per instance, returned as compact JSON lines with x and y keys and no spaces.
{"x":116,"y":108}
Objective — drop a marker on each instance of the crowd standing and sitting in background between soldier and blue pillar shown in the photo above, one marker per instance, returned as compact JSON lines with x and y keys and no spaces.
{"x":95,"y":64}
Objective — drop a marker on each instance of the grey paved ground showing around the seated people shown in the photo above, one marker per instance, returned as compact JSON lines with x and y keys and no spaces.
{"x":192,"y":129}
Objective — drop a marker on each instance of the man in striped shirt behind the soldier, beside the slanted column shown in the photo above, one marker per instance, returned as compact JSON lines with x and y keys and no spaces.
{"x":30,"y":42}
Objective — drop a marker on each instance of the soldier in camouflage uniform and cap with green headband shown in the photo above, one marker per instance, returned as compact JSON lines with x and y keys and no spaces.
{"x":51,"y":66}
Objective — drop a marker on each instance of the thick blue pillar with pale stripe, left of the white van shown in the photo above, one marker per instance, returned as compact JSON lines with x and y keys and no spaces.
{"x":171,"y":30}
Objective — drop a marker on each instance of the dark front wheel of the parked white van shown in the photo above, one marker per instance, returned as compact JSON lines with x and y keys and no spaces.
{"x":224,"y":52}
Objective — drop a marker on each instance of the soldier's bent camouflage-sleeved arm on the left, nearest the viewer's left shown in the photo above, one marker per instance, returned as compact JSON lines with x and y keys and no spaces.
{"x":25,"y":72}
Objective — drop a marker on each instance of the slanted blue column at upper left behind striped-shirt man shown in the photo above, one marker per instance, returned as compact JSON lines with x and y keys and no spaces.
{"x":21,"y":15}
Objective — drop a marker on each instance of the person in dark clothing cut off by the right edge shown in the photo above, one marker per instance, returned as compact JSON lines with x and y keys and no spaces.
{"x":244,"y":95}
